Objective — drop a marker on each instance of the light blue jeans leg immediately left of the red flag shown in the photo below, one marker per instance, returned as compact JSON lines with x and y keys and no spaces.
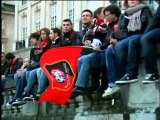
{"x":42,"y":81}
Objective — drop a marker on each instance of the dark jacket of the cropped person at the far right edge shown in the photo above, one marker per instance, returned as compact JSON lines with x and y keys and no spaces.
{"x":155,"y":23}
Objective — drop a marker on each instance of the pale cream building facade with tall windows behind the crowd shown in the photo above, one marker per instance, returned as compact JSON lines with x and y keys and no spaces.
{"x":30,"y":16}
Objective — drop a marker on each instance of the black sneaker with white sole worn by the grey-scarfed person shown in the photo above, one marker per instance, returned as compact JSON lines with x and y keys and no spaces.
{"x":126,"y":79}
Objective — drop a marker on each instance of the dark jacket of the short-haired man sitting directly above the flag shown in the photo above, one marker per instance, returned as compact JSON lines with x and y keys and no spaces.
{"x":71,"y":39}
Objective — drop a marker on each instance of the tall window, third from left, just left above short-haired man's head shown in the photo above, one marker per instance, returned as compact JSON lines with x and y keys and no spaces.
{"x":53,"y":19}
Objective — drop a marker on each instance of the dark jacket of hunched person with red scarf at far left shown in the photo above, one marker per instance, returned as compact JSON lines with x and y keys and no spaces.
{"x":16,"y":66}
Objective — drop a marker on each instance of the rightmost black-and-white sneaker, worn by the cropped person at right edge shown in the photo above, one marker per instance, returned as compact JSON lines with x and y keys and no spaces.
{"x":150,"y":78}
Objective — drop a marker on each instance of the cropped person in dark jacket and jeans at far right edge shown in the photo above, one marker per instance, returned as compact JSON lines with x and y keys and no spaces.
{"x":149,"y":41}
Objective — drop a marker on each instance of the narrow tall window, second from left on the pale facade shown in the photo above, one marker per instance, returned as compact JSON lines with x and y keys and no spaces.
{"x":37,"y":20}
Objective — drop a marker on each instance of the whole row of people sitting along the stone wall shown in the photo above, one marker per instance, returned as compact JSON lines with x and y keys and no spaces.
{"x":118,"y":41}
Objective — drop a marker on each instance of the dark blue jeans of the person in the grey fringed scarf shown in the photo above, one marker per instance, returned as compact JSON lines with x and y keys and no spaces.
{"x":132,"y":46}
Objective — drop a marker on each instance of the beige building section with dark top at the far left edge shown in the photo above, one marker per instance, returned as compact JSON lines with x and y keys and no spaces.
{"x":7,"y":22}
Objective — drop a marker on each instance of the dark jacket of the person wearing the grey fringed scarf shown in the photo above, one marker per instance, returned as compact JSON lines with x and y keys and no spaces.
{"x":122,"y":31}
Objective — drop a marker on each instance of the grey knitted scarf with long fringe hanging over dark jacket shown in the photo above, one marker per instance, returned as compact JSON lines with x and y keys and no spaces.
{"x":134,"y":14}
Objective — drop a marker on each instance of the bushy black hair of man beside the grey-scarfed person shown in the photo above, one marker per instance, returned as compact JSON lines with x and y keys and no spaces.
{"x":113,"y":9}
